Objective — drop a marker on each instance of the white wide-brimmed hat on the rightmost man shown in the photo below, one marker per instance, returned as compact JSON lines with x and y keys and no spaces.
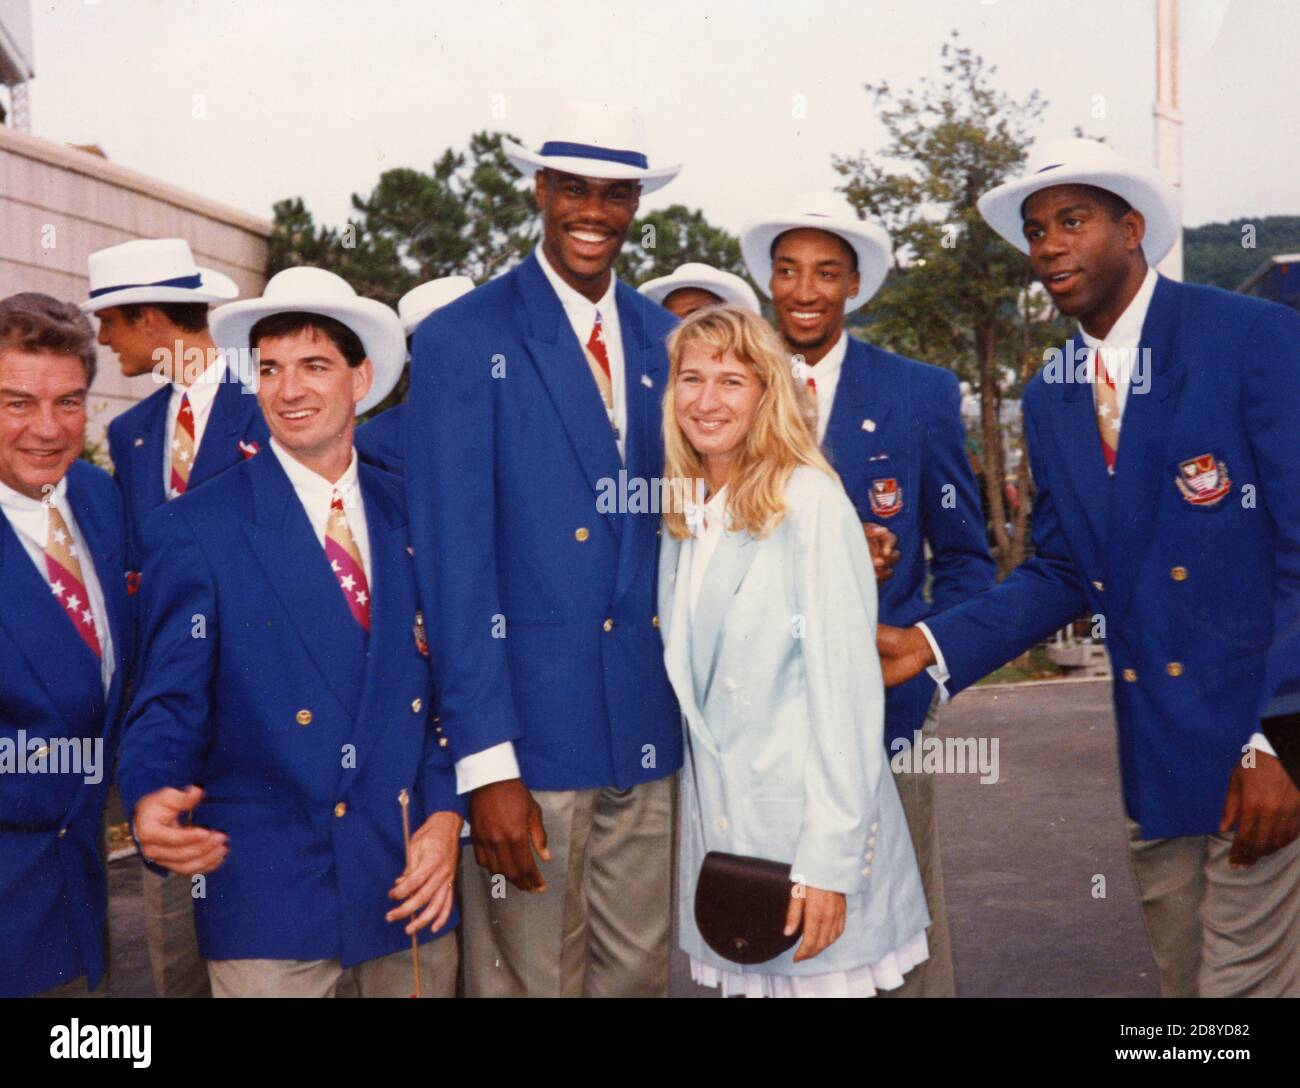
{"x":1080,"y":162}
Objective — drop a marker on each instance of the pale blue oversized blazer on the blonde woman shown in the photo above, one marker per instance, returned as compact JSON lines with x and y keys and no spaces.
{"x":782,"y":696}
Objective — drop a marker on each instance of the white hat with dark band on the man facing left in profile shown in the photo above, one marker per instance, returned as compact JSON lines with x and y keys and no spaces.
{"x":153,"y":271}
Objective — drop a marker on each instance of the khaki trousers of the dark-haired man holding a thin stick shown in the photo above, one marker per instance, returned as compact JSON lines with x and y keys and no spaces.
{"x":384,"y":977}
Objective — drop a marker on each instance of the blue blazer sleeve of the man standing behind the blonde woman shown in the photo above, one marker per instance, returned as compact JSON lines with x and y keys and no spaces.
{"x":954,"y":521}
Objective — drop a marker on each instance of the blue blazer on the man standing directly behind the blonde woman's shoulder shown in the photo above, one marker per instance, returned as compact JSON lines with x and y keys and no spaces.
{"x":898,"y":440}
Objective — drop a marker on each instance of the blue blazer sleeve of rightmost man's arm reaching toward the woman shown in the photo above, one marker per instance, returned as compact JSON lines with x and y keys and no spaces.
{"x":1041,"y":596}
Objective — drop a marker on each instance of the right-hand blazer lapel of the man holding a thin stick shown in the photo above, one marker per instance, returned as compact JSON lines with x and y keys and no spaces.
{"x":392,"y":609}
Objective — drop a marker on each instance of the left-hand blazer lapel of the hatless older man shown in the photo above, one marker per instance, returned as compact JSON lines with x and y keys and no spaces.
{"x":58,"y":660}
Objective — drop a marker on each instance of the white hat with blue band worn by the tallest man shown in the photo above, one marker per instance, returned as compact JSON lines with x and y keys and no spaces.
{"x":593,"y":140}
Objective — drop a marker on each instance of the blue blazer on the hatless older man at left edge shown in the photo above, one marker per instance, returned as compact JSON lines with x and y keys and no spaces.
{"x":54,"y":895}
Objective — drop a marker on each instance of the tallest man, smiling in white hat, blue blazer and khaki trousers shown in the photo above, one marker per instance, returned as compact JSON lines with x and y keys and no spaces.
{"x":532,"y":400}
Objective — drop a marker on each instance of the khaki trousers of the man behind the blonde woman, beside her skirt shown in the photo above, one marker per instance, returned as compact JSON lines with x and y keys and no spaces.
{"x":934,"y":978}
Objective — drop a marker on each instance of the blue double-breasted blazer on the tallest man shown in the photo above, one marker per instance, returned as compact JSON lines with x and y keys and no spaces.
{"x":543,"y":591}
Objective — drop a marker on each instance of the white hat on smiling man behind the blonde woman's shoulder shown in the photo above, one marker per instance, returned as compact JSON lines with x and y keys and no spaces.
{"x":829,"y":213}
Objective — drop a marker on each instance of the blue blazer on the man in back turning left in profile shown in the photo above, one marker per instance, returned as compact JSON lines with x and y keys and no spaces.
{"x":136,"y":445}
